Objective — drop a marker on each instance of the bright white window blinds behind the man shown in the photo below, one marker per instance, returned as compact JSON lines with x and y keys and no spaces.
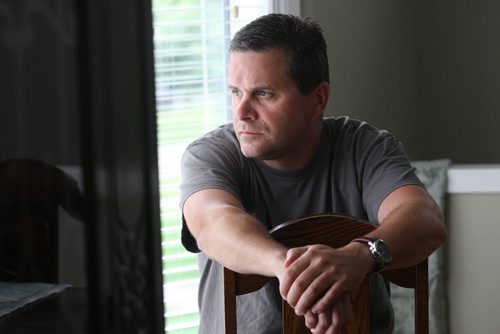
{"x":191,"y":38}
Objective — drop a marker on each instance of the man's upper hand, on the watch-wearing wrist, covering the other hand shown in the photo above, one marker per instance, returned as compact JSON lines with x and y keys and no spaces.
{"x":316,"y":276}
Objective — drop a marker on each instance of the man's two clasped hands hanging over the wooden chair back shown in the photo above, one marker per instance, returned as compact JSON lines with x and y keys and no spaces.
{"x":316,"y":281}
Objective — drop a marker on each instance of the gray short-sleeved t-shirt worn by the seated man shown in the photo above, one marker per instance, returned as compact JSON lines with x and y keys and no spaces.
{"x":355,"y":168}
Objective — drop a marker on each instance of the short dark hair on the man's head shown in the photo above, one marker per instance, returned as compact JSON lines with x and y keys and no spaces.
{"x":301,"y":39}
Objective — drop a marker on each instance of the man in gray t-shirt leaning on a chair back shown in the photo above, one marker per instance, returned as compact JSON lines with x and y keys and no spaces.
{"x":280,"y":160}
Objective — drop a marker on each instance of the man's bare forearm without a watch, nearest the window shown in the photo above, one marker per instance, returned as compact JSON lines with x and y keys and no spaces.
{"x":232,"y":237}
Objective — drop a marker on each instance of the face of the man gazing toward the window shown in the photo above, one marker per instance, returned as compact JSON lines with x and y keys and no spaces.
{"x":272,"y":119}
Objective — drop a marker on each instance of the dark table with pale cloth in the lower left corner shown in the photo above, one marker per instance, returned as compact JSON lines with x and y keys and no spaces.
{"x":62,"y":313}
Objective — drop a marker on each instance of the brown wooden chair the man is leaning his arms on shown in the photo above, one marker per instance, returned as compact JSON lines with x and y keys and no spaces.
{"x":335,"y":231}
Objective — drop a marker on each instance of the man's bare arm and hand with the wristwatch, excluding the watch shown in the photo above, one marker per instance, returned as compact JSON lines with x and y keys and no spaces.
{"x":412,"y":226}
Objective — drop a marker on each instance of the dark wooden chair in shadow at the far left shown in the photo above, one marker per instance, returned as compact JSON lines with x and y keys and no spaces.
{"x":31,"y":192}
